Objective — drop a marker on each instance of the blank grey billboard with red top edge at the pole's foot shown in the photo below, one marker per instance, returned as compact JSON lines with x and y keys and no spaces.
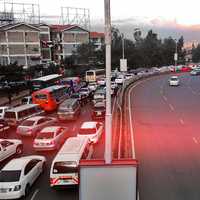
{"x":114,"y":181}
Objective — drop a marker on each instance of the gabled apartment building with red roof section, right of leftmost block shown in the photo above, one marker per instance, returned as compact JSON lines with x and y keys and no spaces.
{"x":66,"y":39}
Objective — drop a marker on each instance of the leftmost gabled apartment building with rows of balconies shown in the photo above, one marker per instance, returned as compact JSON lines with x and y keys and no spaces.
{"x":20,"y":43}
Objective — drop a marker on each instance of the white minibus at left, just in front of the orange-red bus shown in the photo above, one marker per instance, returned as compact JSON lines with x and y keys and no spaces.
{"x":15,"y":116}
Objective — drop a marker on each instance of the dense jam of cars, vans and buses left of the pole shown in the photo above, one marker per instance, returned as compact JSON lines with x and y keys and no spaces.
{"x":45,"y":117}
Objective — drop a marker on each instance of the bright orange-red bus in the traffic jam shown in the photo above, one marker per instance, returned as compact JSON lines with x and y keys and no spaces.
{"x":49,"y":98}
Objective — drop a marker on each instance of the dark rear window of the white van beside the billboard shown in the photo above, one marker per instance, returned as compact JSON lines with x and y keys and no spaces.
{"x":65,"y":167}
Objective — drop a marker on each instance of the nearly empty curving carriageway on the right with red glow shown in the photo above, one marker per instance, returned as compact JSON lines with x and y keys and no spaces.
{"x":167,"y":138}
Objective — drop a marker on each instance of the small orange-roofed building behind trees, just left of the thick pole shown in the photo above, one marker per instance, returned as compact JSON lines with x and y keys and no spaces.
{"x":97,"y":39}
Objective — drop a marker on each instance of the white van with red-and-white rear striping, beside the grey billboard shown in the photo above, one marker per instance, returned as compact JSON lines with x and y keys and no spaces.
{"x":64,"y":168}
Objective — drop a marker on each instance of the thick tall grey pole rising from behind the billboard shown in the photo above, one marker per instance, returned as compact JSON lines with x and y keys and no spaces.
{"x":108,"y":118}
